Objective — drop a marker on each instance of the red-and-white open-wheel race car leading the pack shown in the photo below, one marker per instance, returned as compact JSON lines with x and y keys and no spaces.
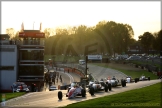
{"x":75,"y":90}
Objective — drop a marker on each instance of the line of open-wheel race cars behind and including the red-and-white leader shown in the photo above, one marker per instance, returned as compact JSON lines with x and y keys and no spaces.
{"x":79,"y":89}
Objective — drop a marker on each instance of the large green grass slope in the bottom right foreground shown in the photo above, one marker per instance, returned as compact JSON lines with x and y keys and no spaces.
{"x":146,"y":96}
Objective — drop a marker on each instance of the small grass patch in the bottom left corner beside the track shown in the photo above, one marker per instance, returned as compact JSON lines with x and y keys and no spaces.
{"x":8,"y":96}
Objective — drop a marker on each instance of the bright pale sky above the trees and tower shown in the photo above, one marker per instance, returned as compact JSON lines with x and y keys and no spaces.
{"x":142,"y":16}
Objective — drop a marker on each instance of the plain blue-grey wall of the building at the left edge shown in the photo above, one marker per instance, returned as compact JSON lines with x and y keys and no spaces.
{"x":8,"y":58}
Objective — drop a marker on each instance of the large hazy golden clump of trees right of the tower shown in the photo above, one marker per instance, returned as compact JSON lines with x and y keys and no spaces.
{"x":106,"y":37}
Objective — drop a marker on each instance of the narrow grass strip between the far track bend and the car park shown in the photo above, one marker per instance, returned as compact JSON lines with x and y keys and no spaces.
{"x":132,"y":73}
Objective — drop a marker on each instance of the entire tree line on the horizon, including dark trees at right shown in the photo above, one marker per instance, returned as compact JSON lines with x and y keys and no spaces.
{"x":106,"y":37}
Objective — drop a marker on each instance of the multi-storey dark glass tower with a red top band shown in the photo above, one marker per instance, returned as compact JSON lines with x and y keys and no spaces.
{"x":31,"y":56}
